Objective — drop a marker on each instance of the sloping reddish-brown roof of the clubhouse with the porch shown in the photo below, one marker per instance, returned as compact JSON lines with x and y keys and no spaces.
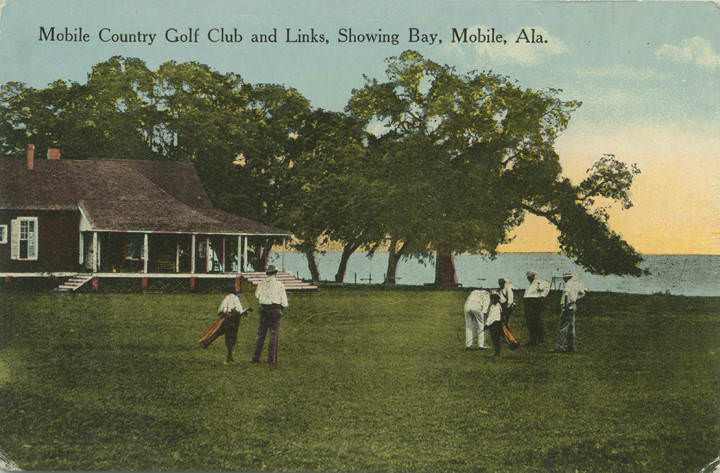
{"x":117,"y":194}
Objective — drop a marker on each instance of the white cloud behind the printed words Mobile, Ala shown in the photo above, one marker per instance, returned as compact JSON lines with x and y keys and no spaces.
{"x":517,"y":48}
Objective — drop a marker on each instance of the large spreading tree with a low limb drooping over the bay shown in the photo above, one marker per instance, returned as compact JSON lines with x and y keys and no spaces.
{"x":465,"y":157}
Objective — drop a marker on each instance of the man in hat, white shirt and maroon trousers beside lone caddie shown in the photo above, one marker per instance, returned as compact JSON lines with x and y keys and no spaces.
{"x":273,"y":299}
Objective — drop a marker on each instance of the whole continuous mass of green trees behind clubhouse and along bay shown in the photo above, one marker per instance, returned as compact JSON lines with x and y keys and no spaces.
{"x":458,"y":161}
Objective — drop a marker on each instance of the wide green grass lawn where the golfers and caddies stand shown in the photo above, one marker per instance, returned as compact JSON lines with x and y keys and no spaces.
{"x":369,"y":380}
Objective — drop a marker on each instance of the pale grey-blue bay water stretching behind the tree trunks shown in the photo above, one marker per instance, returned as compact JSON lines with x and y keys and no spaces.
{"x":689,"y":275}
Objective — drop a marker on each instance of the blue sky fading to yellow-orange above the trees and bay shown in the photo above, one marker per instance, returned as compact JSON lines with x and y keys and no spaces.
{"x":647,"y":73}
